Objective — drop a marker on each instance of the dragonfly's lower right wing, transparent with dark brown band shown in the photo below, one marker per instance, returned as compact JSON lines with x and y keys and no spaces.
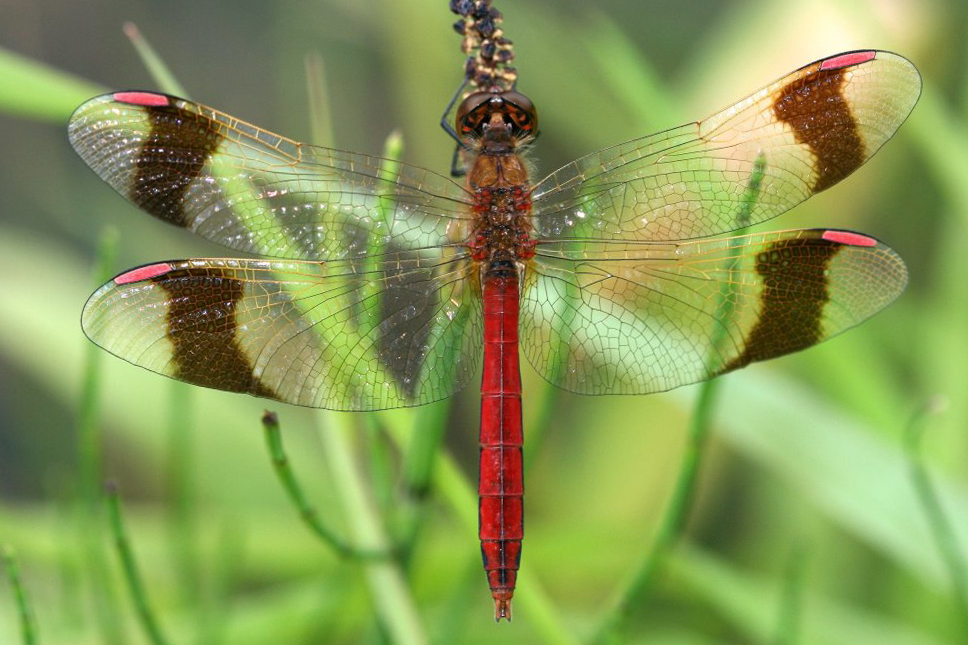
{"x":636,"y":318}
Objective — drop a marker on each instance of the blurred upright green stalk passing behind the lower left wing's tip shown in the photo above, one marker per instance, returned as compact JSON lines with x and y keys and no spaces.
{"x":90,"y":469}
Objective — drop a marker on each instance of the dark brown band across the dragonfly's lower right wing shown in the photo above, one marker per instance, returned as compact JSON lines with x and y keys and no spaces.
{"x":793,"y":297}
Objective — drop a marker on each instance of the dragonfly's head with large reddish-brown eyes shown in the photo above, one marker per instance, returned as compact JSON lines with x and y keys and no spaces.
{"x":497,"y":118}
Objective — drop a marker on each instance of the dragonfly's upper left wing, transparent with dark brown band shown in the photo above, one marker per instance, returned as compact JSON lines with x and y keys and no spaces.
{"x":258,"y":192}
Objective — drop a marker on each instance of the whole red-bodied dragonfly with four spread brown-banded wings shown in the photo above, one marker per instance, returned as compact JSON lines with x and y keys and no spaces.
{"x":378,"y":284}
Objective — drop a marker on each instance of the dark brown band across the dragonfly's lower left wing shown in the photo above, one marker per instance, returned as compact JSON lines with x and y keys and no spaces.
{"x":202,"y":329}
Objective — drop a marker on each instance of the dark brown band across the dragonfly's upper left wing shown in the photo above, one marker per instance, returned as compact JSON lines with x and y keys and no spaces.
{"x":171,"y":158}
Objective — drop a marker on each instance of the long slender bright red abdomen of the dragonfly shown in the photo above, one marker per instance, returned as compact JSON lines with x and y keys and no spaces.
{"x":501,"y":484}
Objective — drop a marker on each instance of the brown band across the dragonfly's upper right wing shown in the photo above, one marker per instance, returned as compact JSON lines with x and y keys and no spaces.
{"x":817,"y":110}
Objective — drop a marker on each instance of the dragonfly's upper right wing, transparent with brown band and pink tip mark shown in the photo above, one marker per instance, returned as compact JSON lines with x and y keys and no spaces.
{"x":792,"y":139}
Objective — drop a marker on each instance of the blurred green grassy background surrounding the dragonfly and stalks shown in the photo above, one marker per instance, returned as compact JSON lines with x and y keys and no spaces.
{"x":806,"y":526}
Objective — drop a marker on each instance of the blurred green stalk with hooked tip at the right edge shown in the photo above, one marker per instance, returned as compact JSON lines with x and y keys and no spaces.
{"x":941,"y":529}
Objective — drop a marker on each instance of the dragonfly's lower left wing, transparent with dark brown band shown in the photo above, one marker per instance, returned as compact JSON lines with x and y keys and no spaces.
{"x":399,"y":330}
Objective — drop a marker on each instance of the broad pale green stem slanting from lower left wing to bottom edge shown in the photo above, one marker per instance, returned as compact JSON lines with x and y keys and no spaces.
{"x":394,"y":603}
